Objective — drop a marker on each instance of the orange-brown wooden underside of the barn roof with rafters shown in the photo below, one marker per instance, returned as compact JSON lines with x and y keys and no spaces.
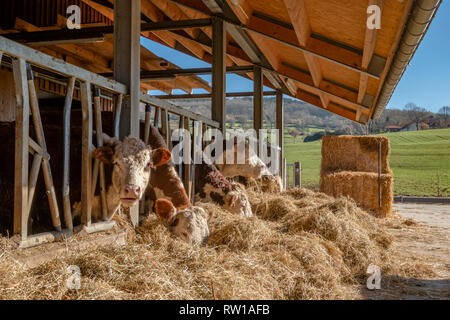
{"x":319,"y":51}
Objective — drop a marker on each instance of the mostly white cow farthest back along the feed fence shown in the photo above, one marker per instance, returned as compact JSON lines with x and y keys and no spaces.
{"x":253,"y":167}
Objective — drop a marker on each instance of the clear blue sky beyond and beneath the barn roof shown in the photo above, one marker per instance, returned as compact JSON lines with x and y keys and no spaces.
{"x":426,"y":81}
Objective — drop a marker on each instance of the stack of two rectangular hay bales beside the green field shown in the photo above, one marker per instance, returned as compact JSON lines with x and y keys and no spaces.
{"x":350,"y":167}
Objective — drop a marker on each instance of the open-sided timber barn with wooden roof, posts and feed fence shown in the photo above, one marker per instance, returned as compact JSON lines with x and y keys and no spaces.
{"x":343,"y":56}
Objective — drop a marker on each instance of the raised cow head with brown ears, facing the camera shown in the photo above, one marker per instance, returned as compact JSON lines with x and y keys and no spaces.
{"x":132,"y":160}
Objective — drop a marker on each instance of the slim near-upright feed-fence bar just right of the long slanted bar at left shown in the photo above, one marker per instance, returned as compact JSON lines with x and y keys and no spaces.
{"x":66,"y":147}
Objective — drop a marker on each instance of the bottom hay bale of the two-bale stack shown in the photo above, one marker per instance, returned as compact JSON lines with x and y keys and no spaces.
{"x":363,"y":188}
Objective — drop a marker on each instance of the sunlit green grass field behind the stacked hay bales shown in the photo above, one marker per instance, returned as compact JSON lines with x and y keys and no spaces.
{"x":417,"y":158}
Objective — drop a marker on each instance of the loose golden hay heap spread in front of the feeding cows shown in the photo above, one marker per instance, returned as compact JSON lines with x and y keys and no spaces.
{"x":299,"y":245}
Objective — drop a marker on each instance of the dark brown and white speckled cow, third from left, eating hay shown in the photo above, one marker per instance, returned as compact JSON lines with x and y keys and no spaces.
{"x":212,"y":186}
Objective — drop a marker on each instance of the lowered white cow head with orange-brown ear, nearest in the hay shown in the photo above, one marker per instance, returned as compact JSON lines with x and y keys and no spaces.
{"x":189,"y":224}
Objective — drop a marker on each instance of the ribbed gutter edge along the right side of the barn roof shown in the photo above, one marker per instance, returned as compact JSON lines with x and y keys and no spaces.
{"x":423,"y":12}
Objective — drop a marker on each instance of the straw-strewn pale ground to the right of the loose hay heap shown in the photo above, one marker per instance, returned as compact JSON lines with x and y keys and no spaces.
{"x":421,"y":239}
